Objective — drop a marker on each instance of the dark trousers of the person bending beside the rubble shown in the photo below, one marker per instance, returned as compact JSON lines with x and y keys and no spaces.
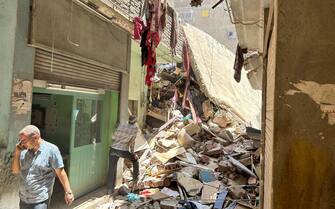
{"x":114,"y":156}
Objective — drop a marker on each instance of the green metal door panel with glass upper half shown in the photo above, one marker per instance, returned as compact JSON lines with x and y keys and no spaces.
{"x":87,"y":170}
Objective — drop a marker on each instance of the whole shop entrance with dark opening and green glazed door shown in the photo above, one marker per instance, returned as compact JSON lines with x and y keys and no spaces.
{"x":74,"y":122}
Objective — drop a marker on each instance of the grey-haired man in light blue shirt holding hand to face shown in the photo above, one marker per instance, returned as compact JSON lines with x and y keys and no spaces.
{"x":37,"y":162}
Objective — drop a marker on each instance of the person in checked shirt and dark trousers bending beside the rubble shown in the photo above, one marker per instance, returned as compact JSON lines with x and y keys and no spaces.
{"x":122,"y":146}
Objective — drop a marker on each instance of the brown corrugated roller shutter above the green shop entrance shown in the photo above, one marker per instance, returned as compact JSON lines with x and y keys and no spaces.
{"x":72,"y":70}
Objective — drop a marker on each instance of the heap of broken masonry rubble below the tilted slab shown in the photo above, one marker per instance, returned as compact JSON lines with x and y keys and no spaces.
{"x":201,"y":157}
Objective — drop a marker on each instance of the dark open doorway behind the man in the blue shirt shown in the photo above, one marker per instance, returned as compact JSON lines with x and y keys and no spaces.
{"x":51,"y":113}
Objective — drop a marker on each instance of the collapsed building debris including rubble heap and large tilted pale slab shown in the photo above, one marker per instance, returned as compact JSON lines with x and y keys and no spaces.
{"x":202,"y":146}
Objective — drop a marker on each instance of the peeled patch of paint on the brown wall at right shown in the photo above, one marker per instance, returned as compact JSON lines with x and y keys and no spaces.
{"x":322,"y":94}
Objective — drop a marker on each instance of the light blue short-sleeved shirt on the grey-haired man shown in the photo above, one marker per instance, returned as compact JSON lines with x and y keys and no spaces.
{"x":38,"y":172}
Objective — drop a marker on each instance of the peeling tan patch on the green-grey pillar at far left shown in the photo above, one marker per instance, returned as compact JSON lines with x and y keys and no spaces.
{"x":21,"y":96}
